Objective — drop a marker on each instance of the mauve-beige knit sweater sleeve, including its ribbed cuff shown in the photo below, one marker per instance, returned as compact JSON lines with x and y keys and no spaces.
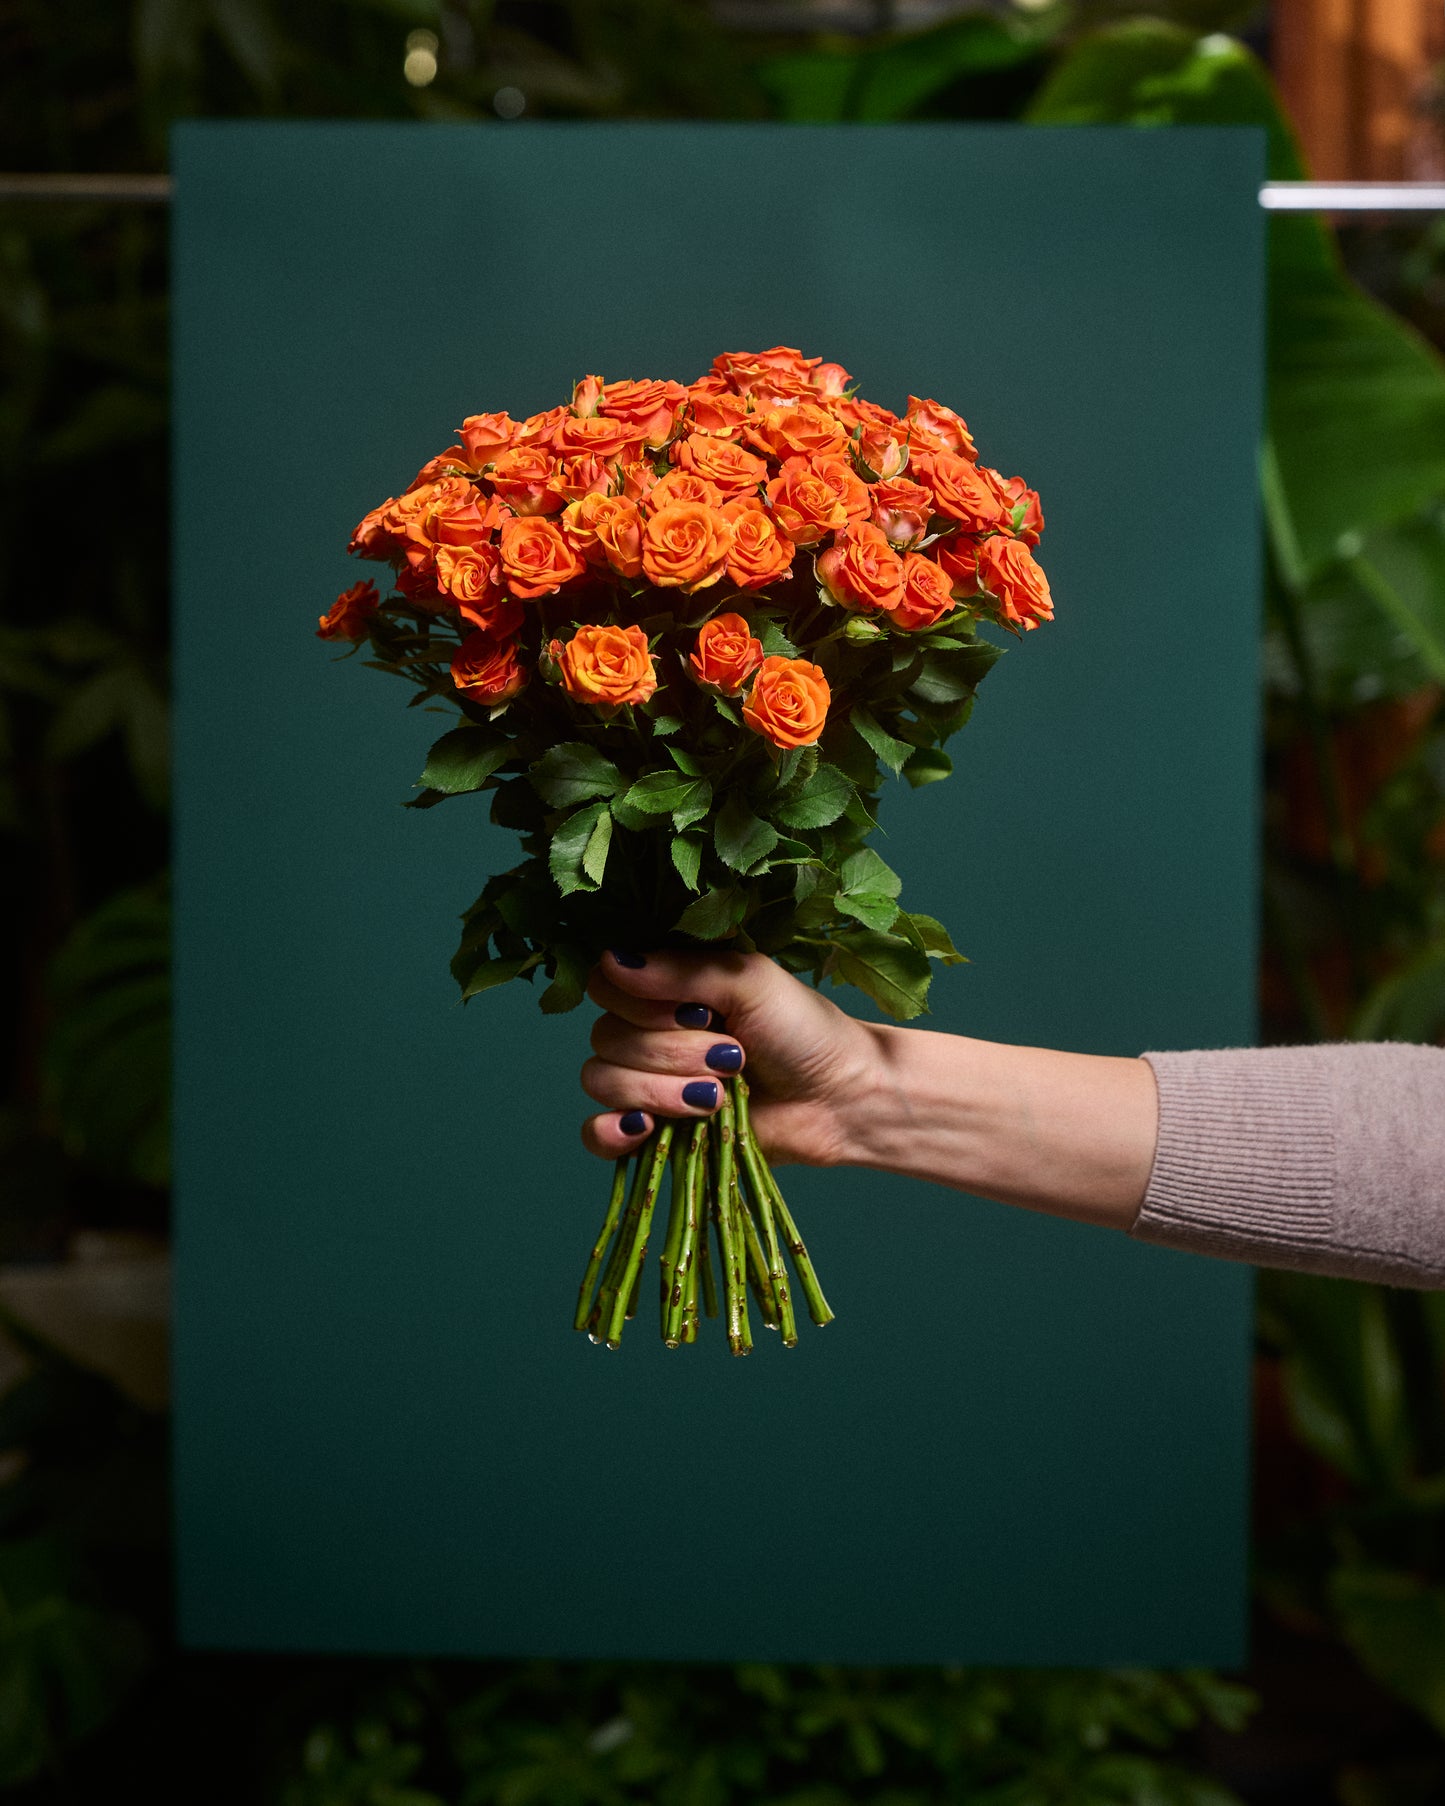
{"x":1330,"y":1160}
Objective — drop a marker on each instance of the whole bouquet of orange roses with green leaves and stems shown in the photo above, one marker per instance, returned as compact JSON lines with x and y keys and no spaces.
{"x":689,"y":628}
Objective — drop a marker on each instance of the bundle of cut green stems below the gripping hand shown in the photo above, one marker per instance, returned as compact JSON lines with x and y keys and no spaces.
{"x":722,"y":1187}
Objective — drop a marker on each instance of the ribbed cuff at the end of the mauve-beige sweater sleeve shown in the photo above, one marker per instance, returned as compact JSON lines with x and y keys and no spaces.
{"x":1245,"y":1162}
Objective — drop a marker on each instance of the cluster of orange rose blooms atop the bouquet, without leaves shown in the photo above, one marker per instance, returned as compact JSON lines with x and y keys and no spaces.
{"x":548,"y":541}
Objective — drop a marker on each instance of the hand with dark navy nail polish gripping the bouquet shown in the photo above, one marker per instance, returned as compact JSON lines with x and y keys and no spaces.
{"x":810,"y":1066}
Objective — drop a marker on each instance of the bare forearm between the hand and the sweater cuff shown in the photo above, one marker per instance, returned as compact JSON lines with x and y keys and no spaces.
{"x":1067,"y":1133}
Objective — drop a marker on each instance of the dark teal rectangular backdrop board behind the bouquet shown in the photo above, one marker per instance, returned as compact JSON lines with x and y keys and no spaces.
{"x":1021,"y":1442}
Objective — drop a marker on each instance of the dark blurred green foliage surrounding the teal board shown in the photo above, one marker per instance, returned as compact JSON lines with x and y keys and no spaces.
{"x":95,"y":1702}
